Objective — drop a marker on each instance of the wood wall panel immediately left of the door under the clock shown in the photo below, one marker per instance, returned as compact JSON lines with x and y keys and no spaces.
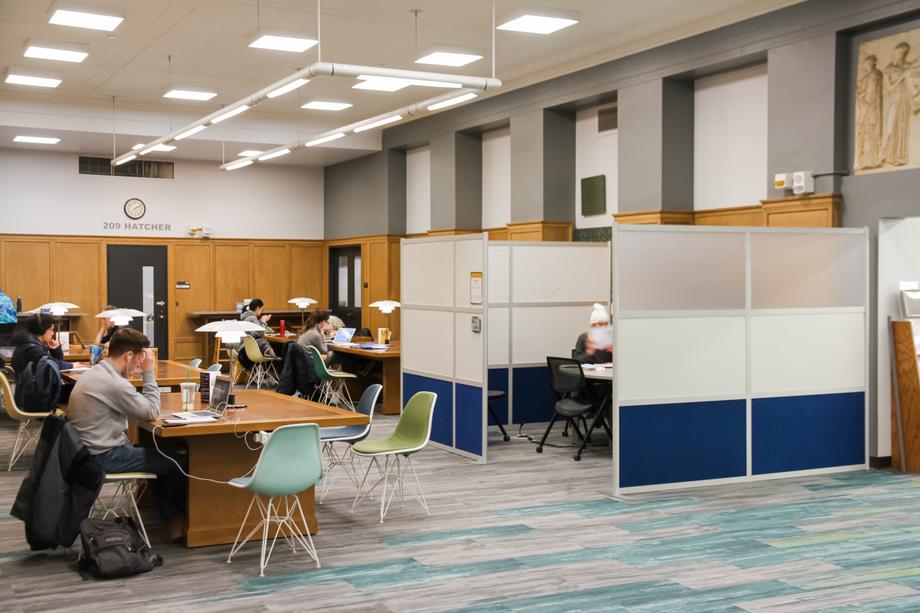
{"x":75,"y":278}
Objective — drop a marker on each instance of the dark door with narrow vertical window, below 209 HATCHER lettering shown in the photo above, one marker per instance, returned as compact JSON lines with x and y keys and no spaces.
{"x":137,"y":279}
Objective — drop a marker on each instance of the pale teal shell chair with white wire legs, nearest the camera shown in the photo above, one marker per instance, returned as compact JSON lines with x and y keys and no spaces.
{"x":289,"y":464}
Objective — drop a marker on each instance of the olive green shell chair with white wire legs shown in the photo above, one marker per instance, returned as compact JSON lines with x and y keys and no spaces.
{"x":411,"y":435}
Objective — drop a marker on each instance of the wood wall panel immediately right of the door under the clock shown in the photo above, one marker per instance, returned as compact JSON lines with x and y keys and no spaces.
{"x":192,"y":263}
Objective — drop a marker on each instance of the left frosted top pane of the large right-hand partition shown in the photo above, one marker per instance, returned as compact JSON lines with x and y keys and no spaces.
{"x":680,"y":271}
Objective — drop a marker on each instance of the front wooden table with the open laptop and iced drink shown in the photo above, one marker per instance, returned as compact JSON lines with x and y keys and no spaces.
{"x":217,"y":451}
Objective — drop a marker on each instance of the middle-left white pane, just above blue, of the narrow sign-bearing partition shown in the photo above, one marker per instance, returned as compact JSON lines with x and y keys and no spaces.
{"x":428,"y":342}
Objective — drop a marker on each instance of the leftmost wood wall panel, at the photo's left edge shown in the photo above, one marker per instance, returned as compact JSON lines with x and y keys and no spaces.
{"x":27,"y":271}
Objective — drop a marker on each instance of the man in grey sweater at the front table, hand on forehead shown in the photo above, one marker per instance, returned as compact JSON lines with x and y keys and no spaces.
{"x":100,"y":405}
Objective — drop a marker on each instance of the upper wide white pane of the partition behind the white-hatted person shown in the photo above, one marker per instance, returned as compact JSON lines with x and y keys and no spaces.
{"x":561,"y":273}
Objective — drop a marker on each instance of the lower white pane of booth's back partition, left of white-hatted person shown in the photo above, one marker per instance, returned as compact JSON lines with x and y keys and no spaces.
{"x":546,"y":331}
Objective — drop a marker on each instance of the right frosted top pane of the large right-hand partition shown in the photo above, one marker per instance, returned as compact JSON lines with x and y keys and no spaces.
{"x":808,"y":270}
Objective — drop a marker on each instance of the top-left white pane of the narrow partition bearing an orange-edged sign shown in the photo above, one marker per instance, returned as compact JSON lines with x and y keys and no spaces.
{"x":428,"y":273}
